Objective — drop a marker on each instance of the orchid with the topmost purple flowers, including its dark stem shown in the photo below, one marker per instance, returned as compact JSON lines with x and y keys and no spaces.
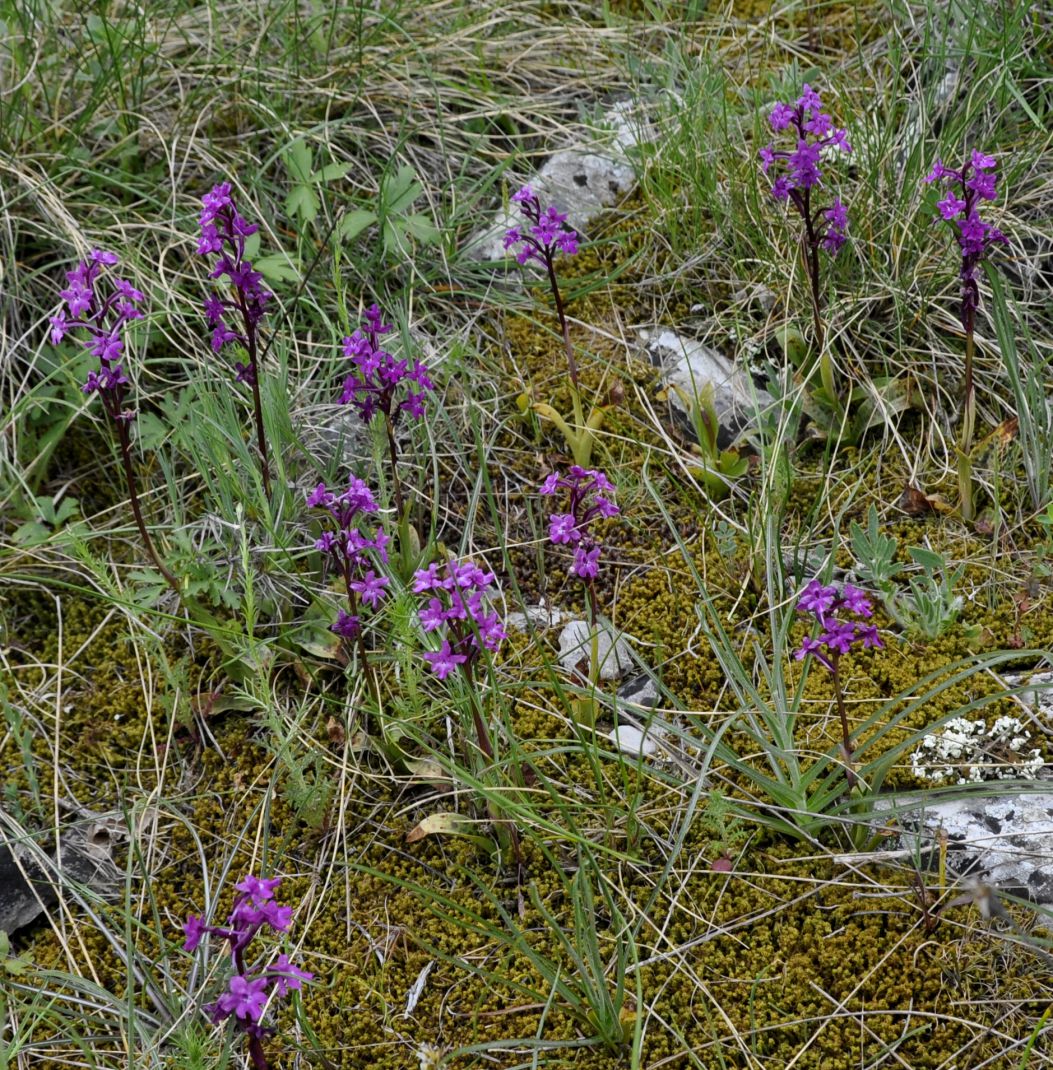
{"x":813,"y":131}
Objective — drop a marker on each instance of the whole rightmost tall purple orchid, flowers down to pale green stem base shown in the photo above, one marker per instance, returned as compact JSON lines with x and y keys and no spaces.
{"x":964,"y":191}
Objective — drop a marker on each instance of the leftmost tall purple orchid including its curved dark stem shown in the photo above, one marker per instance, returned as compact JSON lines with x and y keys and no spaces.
{"x":103,"y":322}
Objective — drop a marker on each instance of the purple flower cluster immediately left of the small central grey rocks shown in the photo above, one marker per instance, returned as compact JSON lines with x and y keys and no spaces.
{"x":460,"y":600}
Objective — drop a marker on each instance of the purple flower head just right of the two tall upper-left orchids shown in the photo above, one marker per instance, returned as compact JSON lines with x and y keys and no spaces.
{"x":372,"y":388}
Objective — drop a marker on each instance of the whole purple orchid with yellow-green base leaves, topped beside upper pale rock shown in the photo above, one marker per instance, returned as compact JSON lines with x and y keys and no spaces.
{"x":544,"y":237}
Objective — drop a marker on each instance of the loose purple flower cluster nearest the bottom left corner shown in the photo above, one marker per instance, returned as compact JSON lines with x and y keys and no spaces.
{"x":250,"y":988}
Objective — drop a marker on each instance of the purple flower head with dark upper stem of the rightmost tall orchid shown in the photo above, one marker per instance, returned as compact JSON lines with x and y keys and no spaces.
{"x":966,"y":189}
